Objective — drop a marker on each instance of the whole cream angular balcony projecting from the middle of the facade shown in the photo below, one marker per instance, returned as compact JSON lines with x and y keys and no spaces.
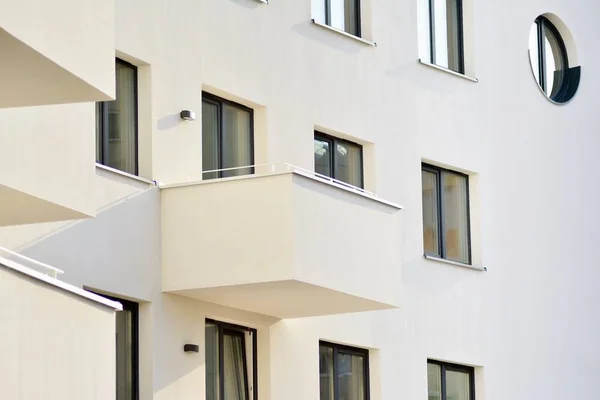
{"x":284,"y":242}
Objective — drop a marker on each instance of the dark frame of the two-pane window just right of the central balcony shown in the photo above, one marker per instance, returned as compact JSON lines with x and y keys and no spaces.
{"x":440,"y":216}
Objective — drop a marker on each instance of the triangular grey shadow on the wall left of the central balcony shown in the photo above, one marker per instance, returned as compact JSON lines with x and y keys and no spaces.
{"x":117,"y":252}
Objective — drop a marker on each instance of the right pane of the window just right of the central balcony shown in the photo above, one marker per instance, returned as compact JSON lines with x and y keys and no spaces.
{"x":455,"y":215}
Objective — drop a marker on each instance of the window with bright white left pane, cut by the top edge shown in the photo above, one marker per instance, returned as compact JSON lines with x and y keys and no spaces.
{"x":446,"y":34}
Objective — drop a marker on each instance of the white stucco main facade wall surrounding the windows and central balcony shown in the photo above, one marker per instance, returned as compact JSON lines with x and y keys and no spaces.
{"x":529,"y":323}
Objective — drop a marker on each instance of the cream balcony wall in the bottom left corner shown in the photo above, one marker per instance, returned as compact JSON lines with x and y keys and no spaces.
{"x":55,"y":345}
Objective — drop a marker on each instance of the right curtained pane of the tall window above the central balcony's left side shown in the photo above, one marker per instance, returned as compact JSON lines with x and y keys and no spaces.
{"x":237,"y":141}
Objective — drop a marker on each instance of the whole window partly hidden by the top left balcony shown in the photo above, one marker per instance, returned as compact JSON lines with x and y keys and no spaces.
{"x":116,"y":123}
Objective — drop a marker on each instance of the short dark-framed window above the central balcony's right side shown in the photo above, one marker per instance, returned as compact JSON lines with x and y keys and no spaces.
{"x":338,"y":159}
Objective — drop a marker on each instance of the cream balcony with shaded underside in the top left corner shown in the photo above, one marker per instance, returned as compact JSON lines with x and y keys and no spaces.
{"x":56,"y":52}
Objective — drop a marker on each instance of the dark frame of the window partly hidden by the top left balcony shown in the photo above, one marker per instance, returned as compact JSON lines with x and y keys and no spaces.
{"x":104,"y":125}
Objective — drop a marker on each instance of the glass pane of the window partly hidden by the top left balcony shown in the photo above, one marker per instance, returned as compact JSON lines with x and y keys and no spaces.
{"x":122,"y":130}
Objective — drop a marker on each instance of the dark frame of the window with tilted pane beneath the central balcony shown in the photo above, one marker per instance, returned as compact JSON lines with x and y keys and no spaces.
{"x":237,"y":330}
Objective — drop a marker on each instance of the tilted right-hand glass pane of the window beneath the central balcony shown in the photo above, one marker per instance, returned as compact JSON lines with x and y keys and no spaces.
{"x":233,"y":362}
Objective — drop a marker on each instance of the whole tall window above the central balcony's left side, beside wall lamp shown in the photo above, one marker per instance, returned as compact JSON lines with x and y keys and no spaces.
{"x":227,"y":138}
